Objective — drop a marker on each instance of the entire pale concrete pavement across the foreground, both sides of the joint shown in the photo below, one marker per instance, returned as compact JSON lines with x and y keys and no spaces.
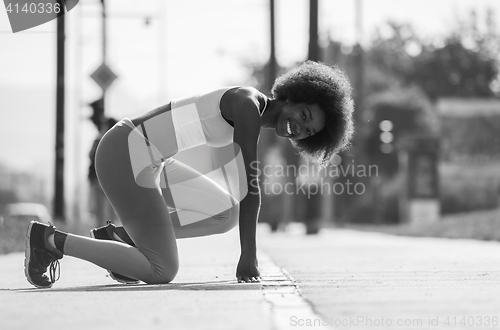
{"x":353,"y":280}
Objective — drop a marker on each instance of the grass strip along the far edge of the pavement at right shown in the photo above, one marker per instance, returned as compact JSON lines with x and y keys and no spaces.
{"x":480,"y":225}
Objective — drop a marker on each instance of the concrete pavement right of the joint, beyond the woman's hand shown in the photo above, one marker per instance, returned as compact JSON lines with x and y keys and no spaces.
{"x":361,"y":280}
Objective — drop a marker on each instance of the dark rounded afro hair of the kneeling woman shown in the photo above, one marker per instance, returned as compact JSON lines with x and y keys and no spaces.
{"x":329,"y":88}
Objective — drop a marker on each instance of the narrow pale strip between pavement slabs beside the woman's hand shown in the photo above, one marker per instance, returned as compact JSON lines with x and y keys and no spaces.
{"x":282,"y":294}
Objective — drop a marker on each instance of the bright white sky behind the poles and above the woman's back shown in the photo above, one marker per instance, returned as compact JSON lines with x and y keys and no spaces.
{"x":189,"y":46}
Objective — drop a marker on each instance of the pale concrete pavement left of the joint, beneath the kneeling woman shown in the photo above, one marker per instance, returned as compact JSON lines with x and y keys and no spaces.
{"x":204,"y":295}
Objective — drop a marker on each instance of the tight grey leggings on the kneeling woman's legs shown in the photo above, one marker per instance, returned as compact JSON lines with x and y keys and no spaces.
{"x":148,"y":215}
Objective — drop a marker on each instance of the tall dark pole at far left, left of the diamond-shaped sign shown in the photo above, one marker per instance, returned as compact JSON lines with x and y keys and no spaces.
{"x":59,"y":150}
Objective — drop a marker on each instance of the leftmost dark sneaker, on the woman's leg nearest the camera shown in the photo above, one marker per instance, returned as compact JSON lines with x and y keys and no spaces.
{"x":39,"y":256}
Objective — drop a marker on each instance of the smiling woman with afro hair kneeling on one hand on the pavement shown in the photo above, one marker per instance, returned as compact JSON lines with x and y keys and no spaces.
{"x":159,"y":198}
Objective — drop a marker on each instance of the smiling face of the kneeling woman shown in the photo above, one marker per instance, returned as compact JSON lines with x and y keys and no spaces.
{"x":300,"y":120}
